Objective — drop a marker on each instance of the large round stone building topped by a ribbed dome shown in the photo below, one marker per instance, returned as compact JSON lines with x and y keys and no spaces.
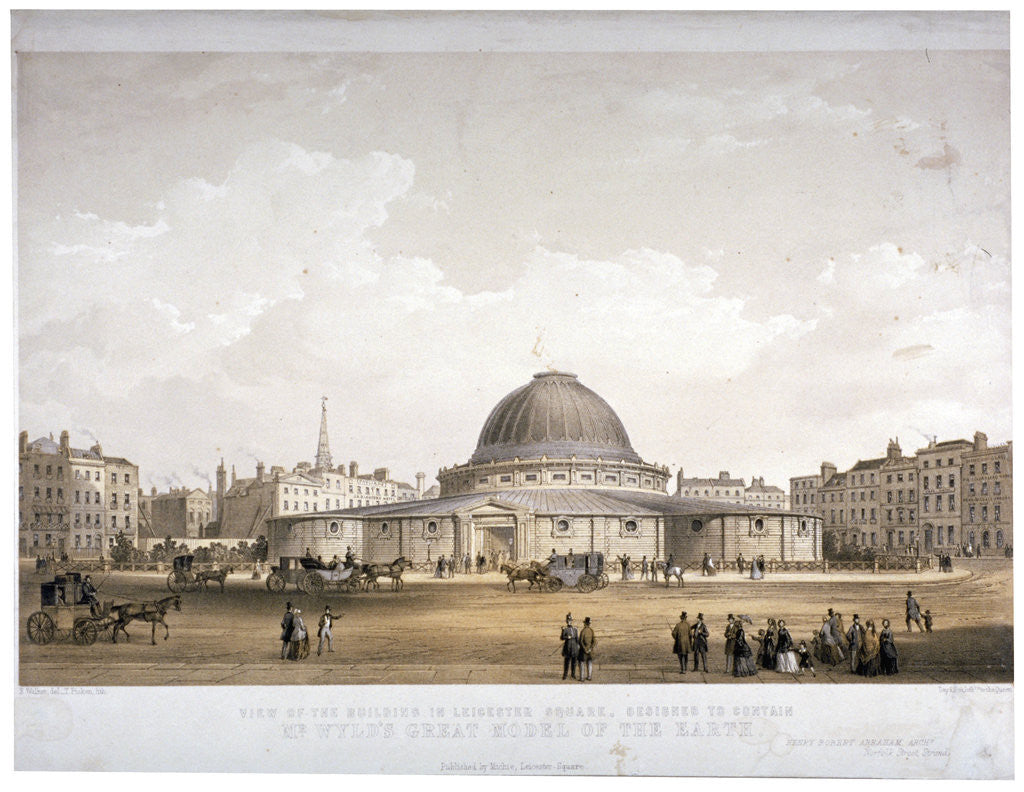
{"x":553,"y":469}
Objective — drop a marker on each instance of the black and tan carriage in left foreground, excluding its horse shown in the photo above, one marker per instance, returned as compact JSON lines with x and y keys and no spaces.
{"x":68,"y":612}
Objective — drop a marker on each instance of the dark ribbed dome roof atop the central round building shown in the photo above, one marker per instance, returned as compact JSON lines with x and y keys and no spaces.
{"x":557,"y":416}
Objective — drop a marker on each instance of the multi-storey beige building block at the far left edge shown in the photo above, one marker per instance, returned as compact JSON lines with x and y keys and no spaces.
{"x":73,"y":501}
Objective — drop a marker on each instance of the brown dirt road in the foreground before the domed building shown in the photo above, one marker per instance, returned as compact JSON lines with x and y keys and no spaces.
{"x":473,"y":630}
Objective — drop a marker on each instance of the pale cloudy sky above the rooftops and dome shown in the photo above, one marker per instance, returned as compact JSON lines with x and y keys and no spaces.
{"x":761,"y":261}
